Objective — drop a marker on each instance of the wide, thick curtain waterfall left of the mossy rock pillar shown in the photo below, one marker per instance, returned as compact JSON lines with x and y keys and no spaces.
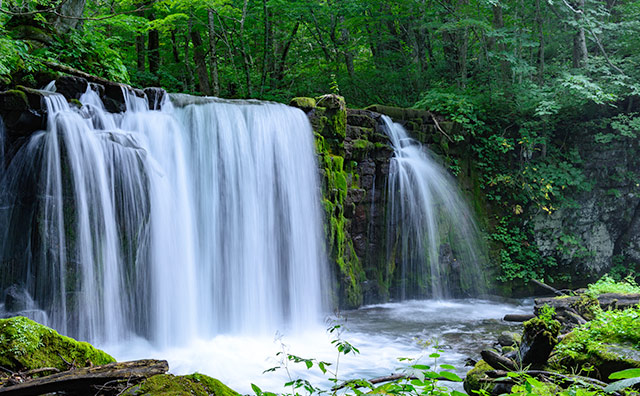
{"x":196,"y":220}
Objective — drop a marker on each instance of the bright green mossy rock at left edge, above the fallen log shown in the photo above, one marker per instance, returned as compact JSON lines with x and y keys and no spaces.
{"x":27,"y":345}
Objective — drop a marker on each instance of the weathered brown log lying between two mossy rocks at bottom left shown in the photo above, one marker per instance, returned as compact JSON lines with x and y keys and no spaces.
{"x":89,"y":379}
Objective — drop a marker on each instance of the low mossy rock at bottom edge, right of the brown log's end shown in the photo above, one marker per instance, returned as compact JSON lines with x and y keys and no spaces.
{"x":170,"y":385}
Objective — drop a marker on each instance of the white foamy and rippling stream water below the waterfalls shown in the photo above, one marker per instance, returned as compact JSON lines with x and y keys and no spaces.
{"x":383,"y":333}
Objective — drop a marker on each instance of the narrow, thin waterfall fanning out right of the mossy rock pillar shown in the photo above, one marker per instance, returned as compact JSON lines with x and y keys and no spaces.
{"x":432,"y":235}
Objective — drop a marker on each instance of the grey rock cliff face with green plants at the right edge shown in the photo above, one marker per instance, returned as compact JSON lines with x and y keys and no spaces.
{"x":598,"y":230}
